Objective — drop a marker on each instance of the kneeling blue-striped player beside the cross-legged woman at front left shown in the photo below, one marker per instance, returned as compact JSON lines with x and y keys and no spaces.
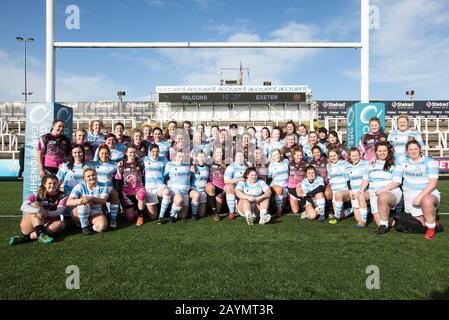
{"x":89,"y":197}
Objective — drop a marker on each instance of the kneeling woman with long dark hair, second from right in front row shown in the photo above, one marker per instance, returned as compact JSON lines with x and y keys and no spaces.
{"x":384,"y":179}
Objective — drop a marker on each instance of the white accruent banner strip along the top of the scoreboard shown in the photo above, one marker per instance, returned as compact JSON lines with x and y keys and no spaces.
{"x":232,"y":89}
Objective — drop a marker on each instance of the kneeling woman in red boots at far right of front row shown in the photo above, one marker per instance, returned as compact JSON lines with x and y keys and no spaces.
{"x":420,"y":180}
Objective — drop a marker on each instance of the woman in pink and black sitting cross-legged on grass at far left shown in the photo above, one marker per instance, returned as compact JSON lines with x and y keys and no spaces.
{"x":41,"y":213}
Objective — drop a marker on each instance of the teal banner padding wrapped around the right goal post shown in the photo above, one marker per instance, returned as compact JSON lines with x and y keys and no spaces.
{"x":358,"y":117}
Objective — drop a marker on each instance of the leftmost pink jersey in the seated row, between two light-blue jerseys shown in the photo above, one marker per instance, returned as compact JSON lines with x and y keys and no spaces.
{"x":132,"y":176}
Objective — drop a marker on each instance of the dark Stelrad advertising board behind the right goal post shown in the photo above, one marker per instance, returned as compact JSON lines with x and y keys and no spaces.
{"x":423,"y":108}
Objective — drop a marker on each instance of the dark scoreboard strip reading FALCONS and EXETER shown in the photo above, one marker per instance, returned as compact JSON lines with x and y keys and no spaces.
{"x":232,"y":97}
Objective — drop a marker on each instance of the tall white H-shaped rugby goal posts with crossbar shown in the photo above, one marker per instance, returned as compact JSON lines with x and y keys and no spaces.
{"x":51,"y":45}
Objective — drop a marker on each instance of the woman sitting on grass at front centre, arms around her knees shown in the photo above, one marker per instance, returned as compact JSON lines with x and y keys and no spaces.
{"x":254,"y":195}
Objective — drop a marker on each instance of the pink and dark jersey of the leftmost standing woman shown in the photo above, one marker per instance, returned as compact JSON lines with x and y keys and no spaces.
{"x":54,"y":149}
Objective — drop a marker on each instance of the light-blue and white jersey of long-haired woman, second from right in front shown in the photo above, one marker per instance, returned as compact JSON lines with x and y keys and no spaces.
{"x":378,"y":178}
